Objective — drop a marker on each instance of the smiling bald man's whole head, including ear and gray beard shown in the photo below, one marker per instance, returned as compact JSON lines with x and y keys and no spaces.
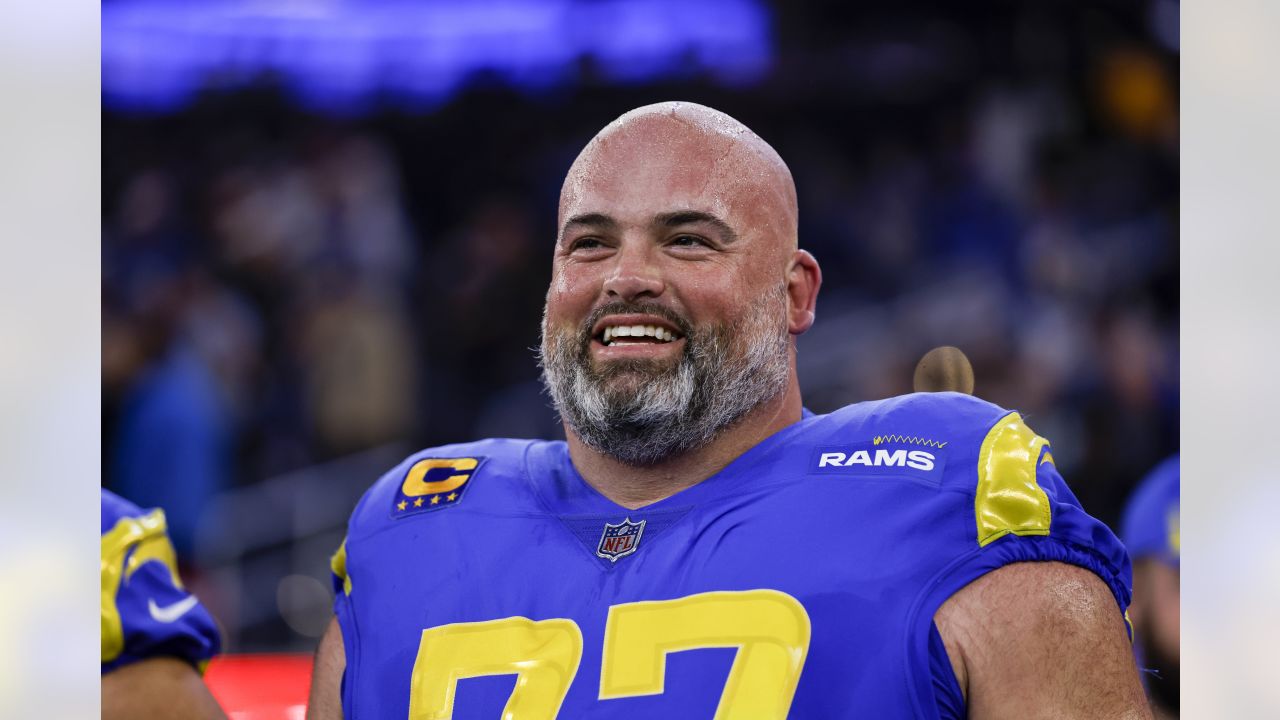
{"x":676,"y":217}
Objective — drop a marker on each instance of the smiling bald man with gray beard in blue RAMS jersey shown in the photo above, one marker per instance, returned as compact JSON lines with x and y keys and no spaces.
{"x":702,"y":546}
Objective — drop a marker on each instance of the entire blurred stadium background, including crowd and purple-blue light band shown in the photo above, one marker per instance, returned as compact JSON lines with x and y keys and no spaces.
{"x":327,"y":231}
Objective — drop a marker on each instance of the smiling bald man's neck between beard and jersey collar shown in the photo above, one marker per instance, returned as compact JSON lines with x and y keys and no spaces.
{"x":636,"y":487}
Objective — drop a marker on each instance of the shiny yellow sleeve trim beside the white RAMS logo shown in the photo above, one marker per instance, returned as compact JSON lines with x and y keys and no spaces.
{"x":1009,"y":500}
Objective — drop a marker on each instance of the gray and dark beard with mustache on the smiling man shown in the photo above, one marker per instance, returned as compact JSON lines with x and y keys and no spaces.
{"x":643,"y":413}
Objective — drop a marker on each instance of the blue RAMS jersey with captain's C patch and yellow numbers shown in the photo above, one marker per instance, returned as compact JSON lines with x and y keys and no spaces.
{"x":491,"y":581}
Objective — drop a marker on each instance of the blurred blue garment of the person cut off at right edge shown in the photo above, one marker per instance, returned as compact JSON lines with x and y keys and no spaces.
{"x":1151,"y":526}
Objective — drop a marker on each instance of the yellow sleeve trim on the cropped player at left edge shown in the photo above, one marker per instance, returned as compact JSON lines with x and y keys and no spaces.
{"x":148,"y":537}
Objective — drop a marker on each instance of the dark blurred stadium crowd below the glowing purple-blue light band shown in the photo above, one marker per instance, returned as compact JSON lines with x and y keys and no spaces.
{"x":282,"y":289}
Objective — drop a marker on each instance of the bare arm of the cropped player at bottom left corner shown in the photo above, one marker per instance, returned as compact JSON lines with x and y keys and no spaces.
{"x":158,"y":689}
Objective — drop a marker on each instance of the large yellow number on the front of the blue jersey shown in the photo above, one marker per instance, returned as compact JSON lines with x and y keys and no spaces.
{"x":769,"y":628}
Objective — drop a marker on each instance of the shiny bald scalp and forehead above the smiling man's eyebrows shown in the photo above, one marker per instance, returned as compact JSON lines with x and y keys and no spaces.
{"x":684,"y":154}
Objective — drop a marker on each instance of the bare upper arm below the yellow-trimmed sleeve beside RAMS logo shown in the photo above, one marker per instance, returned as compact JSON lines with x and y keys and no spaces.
{"x":1041,"y":640}
